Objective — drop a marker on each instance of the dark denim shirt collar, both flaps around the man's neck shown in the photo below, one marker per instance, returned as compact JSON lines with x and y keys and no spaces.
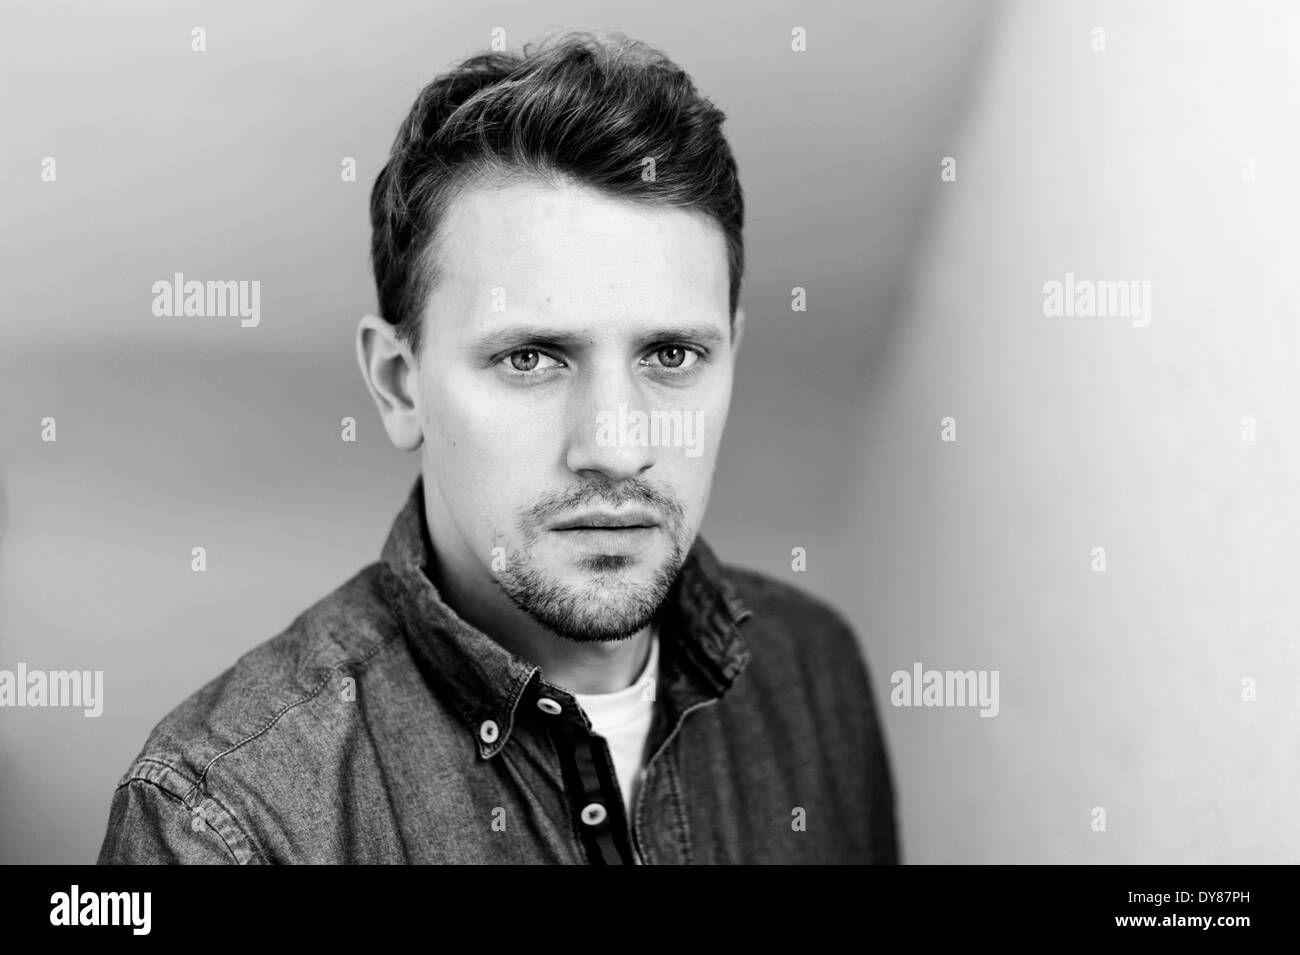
{"x":486,"y":683}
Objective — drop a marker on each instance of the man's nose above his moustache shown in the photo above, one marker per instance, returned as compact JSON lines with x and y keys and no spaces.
{"x":609,"y":433}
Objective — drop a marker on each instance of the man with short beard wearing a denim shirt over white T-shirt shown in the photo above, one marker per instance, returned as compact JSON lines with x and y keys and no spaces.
{"x":548,"y":665}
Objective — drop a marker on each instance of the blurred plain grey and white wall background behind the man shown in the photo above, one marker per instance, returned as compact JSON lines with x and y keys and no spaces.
{"x":1119,"y":691}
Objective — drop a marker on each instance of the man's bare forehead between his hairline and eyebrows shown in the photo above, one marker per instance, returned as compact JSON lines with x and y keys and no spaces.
{"x":570,"y":250}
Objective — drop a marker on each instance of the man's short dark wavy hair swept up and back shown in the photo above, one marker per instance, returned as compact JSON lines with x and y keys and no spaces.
{"x":571,"y":108}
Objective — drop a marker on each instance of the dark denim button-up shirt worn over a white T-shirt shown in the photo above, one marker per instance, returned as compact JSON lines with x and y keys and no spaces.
{"x":382,"y":728}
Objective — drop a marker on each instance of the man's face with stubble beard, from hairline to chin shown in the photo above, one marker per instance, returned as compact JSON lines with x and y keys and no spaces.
{"x":577,"y":370}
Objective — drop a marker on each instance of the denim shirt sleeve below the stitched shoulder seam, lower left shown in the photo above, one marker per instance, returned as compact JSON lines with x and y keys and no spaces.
{"x":157,"y":819}
